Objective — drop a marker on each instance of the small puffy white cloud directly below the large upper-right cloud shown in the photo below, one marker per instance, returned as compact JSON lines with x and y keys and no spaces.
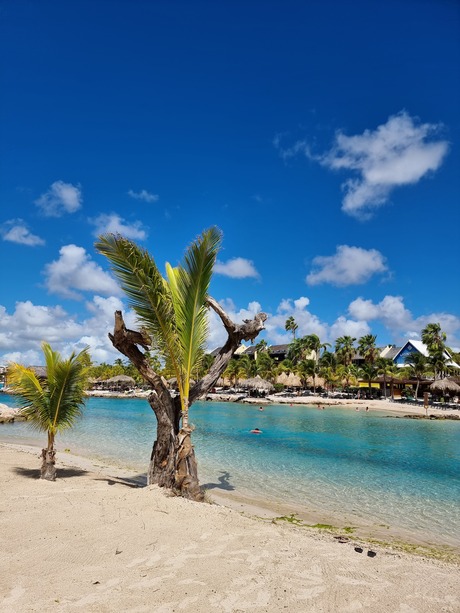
{"x":349,"y":266}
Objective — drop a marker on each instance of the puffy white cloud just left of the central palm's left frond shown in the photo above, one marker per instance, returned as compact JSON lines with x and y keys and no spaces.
{"x":75,"y":272}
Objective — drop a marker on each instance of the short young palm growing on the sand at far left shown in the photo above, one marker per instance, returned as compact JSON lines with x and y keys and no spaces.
{"x":53,"y":404}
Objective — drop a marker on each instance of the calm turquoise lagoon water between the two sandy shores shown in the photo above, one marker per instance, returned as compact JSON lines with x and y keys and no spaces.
{"x":398,"y":472}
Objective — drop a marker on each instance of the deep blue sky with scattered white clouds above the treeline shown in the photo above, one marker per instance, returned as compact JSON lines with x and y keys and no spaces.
{"x":321,"y":137}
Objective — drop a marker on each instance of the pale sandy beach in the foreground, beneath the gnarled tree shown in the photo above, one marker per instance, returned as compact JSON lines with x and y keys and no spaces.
{"x":93,"y":541}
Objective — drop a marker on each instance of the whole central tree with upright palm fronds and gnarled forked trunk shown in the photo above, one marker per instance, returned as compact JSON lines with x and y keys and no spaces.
{"x":173,"y":315}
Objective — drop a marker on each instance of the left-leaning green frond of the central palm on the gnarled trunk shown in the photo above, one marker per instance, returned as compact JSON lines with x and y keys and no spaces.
{"x":148,"y":294}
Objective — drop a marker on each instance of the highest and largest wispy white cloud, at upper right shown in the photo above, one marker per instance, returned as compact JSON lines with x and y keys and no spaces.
{"x":397,"y":153}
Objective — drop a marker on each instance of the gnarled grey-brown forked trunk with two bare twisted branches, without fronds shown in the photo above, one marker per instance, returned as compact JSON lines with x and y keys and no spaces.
{"x":173,"y":463}
